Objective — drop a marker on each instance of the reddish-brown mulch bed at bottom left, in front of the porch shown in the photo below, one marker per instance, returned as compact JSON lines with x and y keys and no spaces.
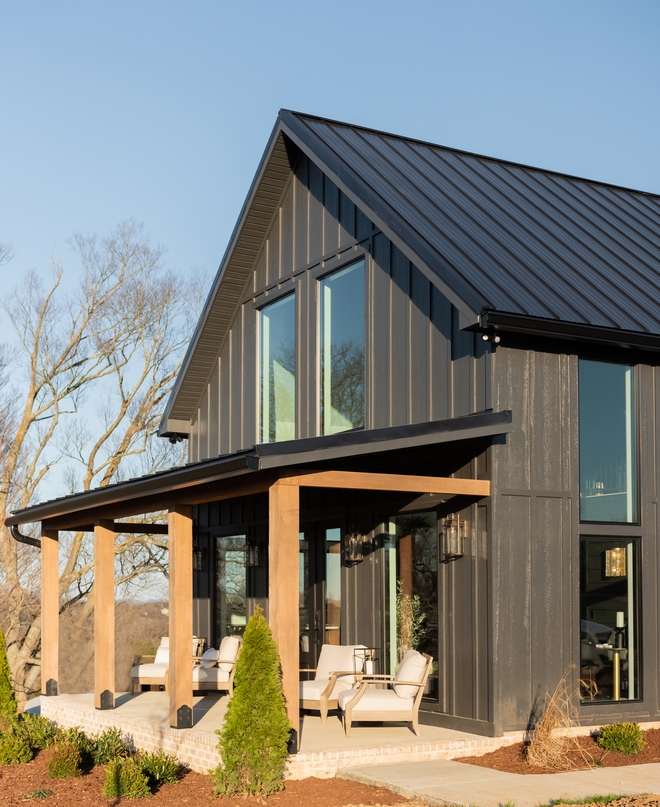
{"x":17,"y":781}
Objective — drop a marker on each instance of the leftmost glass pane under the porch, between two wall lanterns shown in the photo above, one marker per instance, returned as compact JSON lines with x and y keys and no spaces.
{"x":230,"y":593}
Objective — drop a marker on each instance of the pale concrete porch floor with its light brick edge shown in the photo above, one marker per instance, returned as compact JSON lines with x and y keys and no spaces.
{"x":323,"y":749}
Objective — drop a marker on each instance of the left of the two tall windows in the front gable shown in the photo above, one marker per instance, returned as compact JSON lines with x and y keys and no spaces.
{"x":278,"y":370}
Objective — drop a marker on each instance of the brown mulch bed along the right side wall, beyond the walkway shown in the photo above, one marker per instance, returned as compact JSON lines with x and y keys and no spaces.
{"x":511,"y":758}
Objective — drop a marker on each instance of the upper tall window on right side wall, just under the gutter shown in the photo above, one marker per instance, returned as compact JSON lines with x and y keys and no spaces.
{"x":608,"y":473}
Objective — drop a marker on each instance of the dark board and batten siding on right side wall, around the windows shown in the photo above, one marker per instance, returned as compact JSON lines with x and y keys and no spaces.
{"x":535,"y":537}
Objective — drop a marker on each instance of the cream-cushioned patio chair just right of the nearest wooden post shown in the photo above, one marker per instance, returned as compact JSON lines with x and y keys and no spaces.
{"x":337,"y":670}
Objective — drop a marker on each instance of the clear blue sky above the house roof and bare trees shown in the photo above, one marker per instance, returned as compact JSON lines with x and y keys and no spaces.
{"x":160,"y":110}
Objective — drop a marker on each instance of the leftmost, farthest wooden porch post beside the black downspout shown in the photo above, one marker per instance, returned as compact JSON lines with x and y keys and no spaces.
{"x":50,"y":611}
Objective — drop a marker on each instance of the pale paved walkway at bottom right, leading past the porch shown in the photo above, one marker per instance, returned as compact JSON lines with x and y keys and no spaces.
{"x":446,"y":782}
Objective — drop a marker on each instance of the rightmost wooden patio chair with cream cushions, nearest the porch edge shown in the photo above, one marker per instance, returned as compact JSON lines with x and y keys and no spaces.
{"x":400,"y":703}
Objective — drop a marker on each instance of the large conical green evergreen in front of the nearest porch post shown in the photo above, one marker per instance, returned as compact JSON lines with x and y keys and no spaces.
{"x":253,"y":740}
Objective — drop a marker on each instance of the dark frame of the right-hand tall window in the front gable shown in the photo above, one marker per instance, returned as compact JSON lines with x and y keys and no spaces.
{"x":330,"y":268}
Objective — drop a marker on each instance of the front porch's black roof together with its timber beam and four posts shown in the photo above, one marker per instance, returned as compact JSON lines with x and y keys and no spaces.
{"x":280,"y":471}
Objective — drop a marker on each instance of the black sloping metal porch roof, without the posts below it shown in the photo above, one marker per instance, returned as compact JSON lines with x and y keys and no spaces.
{"x":249,"y":471}
